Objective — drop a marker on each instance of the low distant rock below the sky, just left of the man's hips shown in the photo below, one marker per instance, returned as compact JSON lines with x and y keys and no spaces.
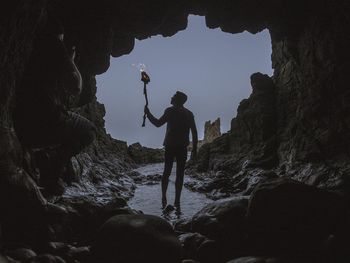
{"x":144,"y":155}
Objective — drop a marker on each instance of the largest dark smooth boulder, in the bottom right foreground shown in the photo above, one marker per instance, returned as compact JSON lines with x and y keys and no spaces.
{"x":287,"y":216}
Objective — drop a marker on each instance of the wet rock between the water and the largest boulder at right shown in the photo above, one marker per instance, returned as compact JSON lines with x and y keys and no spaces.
{"x":225,"y":223}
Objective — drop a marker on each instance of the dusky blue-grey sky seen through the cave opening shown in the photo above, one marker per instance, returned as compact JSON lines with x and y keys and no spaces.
{"x":212,"y":67}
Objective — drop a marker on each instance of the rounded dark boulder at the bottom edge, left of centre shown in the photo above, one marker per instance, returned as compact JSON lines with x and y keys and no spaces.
{"x":151,"y":239}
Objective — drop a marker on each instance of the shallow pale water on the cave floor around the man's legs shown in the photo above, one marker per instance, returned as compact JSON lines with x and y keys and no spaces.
{"x":147,"y":197}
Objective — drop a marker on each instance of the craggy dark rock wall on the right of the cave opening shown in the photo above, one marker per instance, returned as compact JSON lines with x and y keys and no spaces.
{"x":304,"y":132}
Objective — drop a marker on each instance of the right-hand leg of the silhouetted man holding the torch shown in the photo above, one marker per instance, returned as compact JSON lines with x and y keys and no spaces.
{"x":181,"y":157}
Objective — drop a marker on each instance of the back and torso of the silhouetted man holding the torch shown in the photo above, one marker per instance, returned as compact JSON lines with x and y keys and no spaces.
{"x":179,"y":121}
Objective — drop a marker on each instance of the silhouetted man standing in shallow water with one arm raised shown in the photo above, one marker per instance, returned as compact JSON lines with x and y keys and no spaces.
{"x":179,"y":123}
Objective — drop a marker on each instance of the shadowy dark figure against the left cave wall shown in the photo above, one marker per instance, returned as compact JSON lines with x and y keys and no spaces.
{"x":42,"y":120}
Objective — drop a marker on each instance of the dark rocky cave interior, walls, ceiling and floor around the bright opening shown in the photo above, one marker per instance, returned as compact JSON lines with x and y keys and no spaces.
{"x":286,"y":156}
